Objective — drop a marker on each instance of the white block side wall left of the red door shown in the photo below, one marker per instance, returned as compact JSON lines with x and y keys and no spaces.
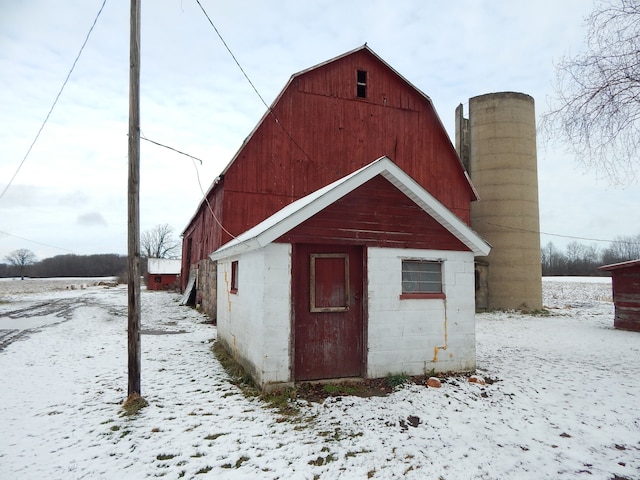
{"x":256,"y":321}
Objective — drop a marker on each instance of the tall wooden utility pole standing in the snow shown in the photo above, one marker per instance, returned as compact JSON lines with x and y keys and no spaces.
{"x":133,"y":259}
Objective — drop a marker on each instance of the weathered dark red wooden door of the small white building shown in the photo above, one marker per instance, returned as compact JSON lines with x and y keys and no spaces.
{"x":328,"y":286}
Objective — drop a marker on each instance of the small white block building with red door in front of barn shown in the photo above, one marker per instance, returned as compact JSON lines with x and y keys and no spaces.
{"x":367,"y":276}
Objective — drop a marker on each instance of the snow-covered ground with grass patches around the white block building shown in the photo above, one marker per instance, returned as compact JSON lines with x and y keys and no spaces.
{"x":564,"y":402}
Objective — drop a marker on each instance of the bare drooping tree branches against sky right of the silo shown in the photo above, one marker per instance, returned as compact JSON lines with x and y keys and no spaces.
{"x":597,"y":106}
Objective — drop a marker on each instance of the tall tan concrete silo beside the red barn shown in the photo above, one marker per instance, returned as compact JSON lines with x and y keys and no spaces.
{"x":497,"y":145}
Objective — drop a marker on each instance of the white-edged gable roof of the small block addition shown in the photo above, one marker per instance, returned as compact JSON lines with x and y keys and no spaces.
{"x":301,"y":210}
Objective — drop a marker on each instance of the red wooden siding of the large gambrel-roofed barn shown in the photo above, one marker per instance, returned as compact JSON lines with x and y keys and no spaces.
{"x":329,"y":133}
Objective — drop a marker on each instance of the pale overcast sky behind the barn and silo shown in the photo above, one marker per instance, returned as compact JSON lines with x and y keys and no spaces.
{"x":70,"y":196}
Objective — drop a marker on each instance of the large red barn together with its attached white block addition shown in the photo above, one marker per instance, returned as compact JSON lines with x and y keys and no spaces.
{"x":337,"y":242}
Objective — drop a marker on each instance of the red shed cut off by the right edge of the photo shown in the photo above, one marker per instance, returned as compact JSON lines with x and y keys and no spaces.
{"x":625,"y":281}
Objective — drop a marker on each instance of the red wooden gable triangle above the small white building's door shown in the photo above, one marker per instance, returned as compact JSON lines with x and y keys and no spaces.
{"x":375,"y":214}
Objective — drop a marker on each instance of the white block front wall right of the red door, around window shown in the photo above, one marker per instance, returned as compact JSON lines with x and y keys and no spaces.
{"x":408,"y":336}
